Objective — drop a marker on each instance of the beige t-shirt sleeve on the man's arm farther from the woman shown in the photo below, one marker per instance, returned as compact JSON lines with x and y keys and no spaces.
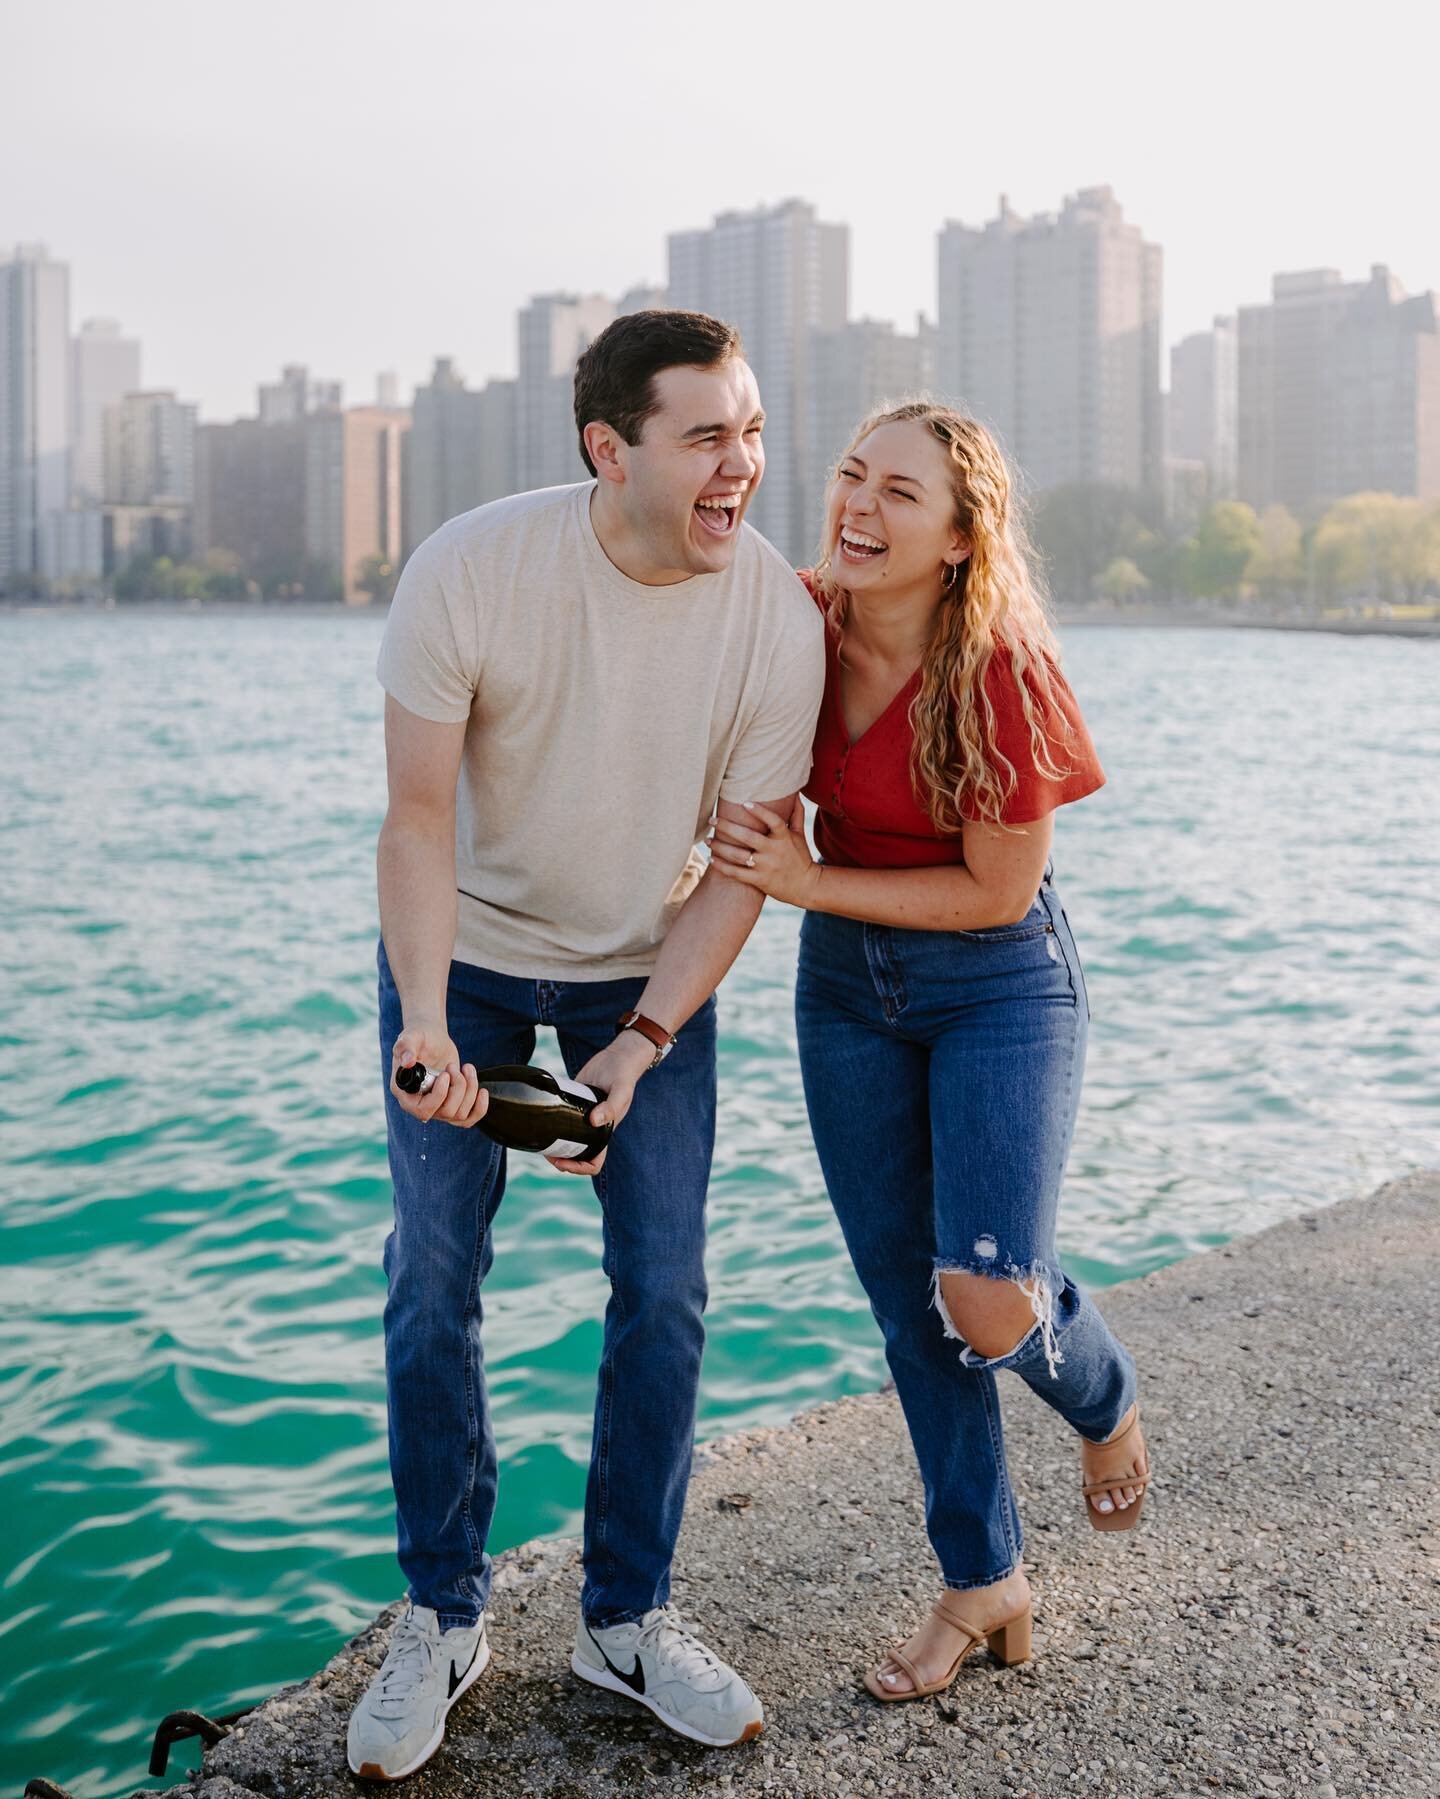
{"x":424,"y":659}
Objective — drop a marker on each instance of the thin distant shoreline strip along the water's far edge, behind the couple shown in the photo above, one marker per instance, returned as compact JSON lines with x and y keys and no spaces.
{"x":1102,"y":618}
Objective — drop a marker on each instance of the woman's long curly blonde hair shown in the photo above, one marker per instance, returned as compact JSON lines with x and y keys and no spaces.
{"x":994,"y":605}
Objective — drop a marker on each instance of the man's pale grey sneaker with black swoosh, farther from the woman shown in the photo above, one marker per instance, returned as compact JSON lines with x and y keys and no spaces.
{"x":400,"y":1723}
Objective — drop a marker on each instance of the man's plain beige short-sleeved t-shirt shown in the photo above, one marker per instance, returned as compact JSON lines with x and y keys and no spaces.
{"x":604,"y":722}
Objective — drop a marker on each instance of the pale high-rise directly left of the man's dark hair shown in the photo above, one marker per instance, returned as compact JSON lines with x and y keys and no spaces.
{"x":553,"y":330}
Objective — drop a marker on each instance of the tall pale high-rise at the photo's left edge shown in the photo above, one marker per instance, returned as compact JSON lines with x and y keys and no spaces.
{"x":35,"y":406}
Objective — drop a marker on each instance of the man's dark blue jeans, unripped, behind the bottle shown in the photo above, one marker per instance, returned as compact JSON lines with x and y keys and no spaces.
{"x":447,"y":1190}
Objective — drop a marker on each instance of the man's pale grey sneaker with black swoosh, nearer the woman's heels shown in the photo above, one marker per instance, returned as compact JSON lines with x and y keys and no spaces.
{"x":661,"y":1665}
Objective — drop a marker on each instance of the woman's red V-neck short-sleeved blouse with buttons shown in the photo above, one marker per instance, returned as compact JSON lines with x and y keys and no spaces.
{"x":868,"y":814}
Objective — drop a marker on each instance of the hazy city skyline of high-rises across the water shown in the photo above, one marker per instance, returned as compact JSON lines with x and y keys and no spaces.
{"x":1048,"y":332}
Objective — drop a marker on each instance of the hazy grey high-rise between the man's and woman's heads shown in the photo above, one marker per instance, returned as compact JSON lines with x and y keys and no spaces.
{"x":863,"y":366}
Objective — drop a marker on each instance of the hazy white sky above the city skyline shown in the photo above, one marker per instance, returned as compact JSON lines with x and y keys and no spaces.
{"x":363,"y":186}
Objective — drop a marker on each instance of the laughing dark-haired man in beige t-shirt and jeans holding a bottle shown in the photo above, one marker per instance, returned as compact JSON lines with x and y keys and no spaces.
{"x":577,"y":683}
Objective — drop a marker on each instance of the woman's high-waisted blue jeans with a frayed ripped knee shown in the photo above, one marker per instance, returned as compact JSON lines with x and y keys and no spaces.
{"x":942,"y":1073}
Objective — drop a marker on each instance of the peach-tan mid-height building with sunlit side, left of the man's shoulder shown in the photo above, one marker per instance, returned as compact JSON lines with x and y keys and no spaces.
{"x":354,"y":494}
